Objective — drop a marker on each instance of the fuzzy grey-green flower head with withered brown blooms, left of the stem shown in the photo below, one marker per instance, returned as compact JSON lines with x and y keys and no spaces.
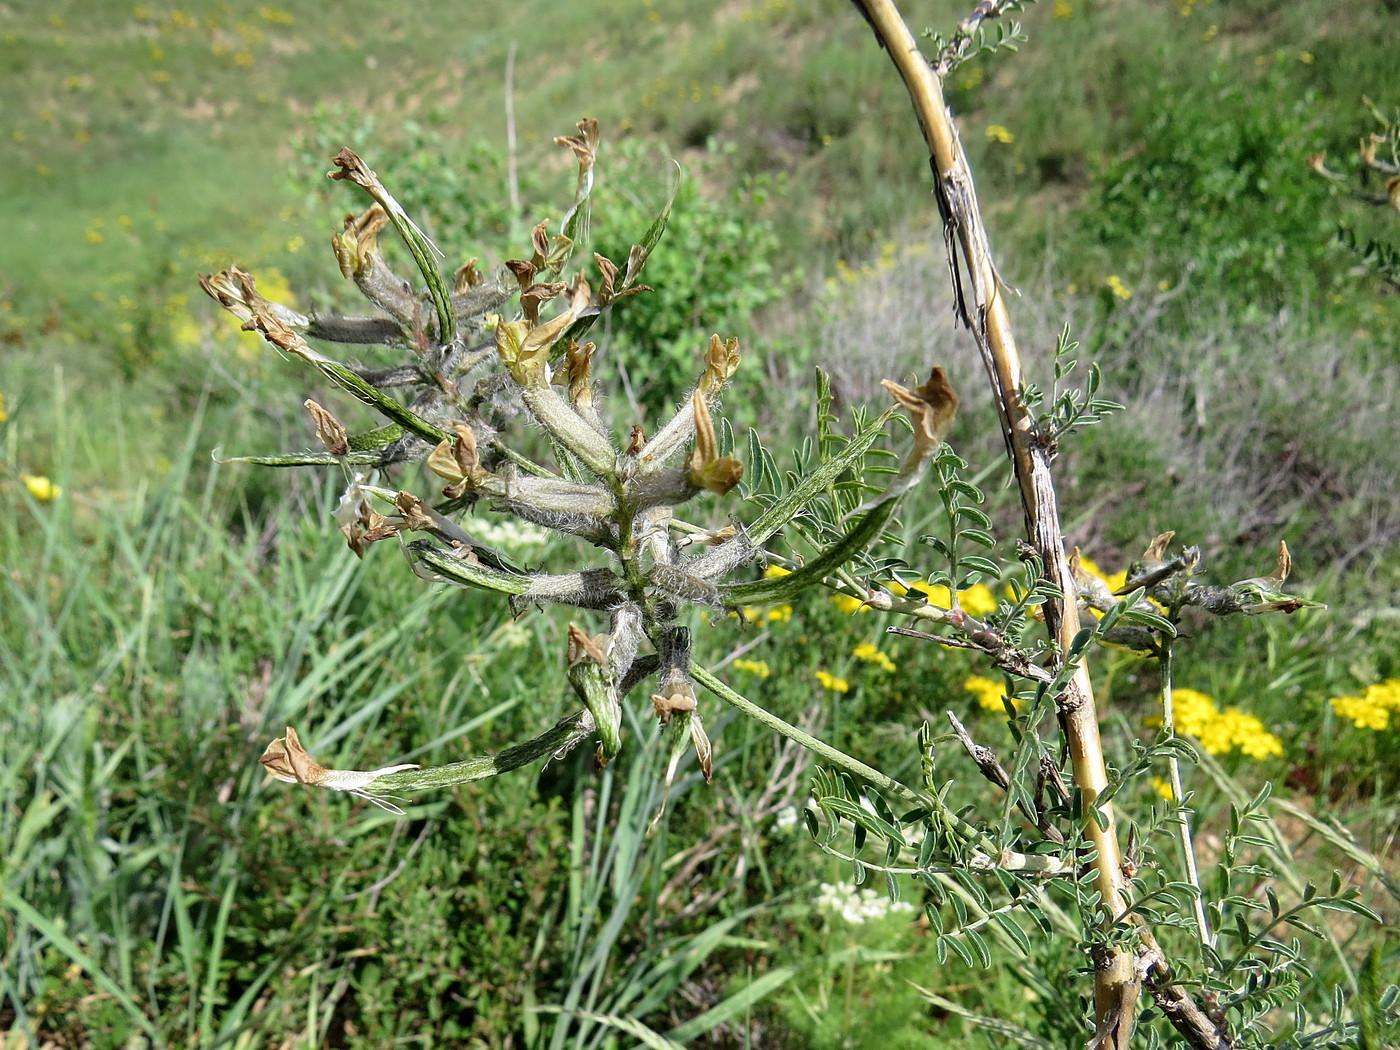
{"x":496,"y":393}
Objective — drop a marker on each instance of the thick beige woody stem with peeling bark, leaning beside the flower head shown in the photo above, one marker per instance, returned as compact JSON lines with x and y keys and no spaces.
{"x":983,"y":309}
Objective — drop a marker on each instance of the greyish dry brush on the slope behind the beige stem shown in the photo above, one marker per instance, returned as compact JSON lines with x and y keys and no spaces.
{"x":1237,"y":435}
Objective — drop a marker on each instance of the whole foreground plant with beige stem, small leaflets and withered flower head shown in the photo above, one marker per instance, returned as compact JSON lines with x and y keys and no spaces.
{"x":495,"y":393}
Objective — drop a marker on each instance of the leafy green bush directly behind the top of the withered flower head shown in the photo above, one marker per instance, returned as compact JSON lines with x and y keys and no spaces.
{"x":716,"y":268}
